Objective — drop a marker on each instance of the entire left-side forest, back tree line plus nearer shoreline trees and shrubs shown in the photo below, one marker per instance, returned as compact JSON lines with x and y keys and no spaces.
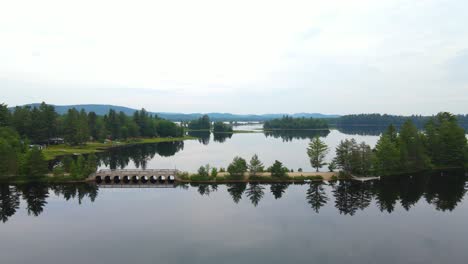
{"x":24,"y":130}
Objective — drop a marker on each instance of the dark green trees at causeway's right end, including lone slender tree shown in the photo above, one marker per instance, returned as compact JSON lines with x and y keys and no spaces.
{"x":443,"y":144}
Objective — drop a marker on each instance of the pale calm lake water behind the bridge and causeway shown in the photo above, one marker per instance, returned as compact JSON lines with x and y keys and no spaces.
{"x":219,"y":149}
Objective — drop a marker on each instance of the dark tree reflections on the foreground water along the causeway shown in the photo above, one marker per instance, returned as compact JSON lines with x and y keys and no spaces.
{"x":443,"y":191}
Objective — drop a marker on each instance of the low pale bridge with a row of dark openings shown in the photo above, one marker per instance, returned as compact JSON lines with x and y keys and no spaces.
{"x":134,"y":177}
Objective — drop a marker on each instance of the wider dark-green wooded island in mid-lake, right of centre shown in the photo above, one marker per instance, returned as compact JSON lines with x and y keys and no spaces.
{"x":288,"y":122}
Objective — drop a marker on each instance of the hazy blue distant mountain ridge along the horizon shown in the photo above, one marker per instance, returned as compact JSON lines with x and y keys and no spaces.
{"x":104,"y":109}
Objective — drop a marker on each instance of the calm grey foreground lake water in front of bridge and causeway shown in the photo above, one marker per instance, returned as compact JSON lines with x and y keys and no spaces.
{"x":400,"y":220}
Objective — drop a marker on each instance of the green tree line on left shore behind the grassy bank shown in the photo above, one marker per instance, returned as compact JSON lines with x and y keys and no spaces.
{"x":40,"y":124}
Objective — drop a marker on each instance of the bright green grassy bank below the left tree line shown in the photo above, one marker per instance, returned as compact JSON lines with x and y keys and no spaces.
{"x":55,"y":151}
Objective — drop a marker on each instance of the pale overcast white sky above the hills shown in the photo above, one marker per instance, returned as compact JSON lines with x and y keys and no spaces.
{"x":334,"y":57}
